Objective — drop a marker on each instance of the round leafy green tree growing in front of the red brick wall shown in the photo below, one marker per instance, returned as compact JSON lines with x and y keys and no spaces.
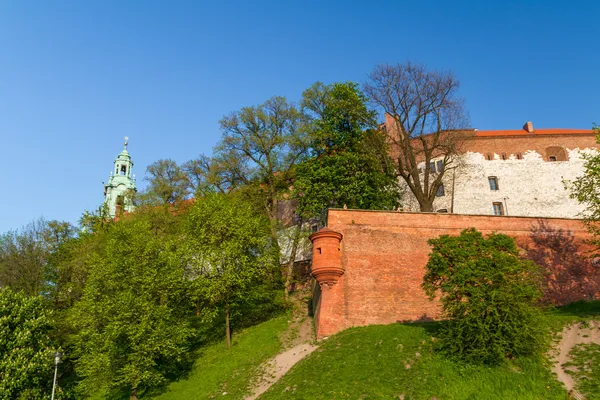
{"x":488,"y":294}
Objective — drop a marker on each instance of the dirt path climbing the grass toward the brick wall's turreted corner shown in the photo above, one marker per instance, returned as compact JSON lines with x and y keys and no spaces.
{"x":297,"y":342}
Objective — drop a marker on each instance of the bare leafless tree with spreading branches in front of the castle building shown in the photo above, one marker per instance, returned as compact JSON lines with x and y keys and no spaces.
{"x":428,"y":122}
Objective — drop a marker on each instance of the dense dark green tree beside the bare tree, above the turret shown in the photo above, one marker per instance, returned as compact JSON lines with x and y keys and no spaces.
{"x":350,"y":165}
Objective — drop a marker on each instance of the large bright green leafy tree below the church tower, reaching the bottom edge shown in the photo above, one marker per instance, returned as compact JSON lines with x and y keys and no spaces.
{"x":131,"y":324}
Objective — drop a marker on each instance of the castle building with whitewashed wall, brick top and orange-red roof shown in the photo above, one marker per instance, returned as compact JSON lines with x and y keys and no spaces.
{"x":513,"y":172}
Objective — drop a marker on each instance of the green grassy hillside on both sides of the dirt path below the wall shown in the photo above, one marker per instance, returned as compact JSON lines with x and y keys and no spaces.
{"x":389,"y":361}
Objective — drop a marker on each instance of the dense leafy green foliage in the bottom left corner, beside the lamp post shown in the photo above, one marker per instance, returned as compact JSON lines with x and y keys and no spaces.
{"x":26,"y":365}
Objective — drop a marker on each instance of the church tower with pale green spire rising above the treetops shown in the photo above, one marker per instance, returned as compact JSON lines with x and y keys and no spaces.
{"x":119,"y":183}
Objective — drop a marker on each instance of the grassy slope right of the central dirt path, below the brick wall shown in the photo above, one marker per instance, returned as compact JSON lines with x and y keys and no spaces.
{"x":371,"y":362}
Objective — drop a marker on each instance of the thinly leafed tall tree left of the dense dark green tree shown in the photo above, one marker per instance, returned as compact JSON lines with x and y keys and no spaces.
{"x":259,"y":149}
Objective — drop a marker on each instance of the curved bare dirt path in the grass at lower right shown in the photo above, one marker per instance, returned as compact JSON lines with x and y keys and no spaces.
{"x":573,"y":335}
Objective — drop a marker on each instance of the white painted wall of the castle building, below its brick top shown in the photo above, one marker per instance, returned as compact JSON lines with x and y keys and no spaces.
{"x":529,"y":187}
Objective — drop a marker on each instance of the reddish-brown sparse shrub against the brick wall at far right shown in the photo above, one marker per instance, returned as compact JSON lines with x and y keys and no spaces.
{"x":568,"y":275}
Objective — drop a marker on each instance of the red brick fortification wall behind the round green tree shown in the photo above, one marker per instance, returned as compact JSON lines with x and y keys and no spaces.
{"x":384,"y":256}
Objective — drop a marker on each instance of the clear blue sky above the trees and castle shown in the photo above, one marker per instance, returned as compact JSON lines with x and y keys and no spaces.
{"x":77,"y":76}
